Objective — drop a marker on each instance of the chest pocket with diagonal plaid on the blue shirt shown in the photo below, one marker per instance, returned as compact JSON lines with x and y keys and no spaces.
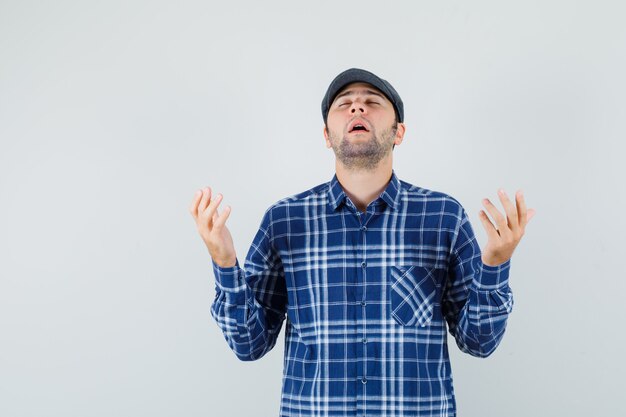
{"x":414,"y":294}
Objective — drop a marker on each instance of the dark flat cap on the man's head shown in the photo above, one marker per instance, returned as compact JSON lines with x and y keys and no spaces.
{"x":354,"y":75}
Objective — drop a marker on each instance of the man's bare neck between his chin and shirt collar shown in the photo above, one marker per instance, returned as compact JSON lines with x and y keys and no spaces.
{"x":364,"y":186}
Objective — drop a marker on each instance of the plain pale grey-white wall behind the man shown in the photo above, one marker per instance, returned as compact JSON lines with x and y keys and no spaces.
{"x":112,"y":114}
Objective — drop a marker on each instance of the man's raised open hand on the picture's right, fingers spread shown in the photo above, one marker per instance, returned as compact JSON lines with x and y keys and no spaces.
{"x":504,"y":236}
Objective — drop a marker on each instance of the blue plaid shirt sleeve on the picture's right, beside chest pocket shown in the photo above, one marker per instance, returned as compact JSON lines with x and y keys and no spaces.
{"x":477,"y":299}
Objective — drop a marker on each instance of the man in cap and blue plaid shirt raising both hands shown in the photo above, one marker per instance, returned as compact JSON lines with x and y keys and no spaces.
{"x":370,"y":271}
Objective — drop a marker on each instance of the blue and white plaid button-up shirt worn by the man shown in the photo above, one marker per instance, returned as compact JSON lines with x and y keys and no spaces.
{"x":368,"y":297}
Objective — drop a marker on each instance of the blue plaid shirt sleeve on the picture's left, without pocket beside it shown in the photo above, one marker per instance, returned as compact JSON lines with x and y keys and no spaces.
{"x":251,"y":302}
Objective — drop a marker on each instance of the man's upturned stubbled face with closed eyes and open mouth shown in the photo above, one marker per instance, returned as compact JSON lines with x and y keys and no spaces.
{"x":361,"y":126}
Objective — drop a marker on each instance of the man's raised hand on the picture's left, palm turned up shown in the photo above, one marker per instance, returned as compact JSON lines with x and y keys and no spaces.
{"x":212,"y":227}
